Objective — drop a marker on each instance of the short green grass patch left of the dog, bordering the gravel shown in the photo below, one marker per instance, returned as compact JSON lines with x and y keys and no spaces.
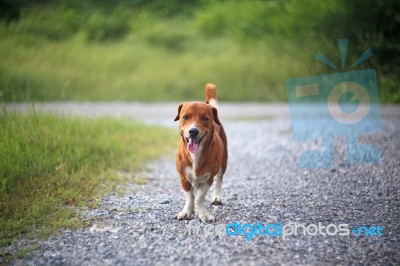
{"x":50,"y":167}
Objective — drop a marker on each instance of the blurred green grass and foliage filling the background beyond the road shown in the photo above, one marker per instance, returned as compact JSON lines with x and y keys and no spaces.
{"x":196,"y":36}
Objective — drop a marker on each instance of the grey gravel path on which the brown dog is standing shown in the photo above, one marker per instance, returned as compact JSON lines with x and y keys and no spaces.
{"x":262,"y":183}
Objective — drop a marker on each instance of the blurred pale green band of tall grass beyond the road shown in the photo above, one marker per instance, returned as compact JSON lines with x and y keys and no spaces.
{"x":134,"y":70}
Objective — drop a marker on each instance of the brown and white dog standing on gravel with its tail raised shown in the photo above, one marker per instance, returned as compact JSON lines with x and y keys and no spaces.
{"x":202,"y":154}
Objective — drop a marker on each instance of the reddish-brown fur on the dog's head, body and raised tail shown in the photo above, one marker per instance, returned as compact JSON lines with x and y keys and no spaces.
{"x":213,"y":156}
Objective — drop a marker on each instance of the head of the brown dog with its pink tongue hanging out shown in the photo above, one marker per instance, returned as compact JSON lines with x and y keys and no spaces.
{"x":196,"y":123}
